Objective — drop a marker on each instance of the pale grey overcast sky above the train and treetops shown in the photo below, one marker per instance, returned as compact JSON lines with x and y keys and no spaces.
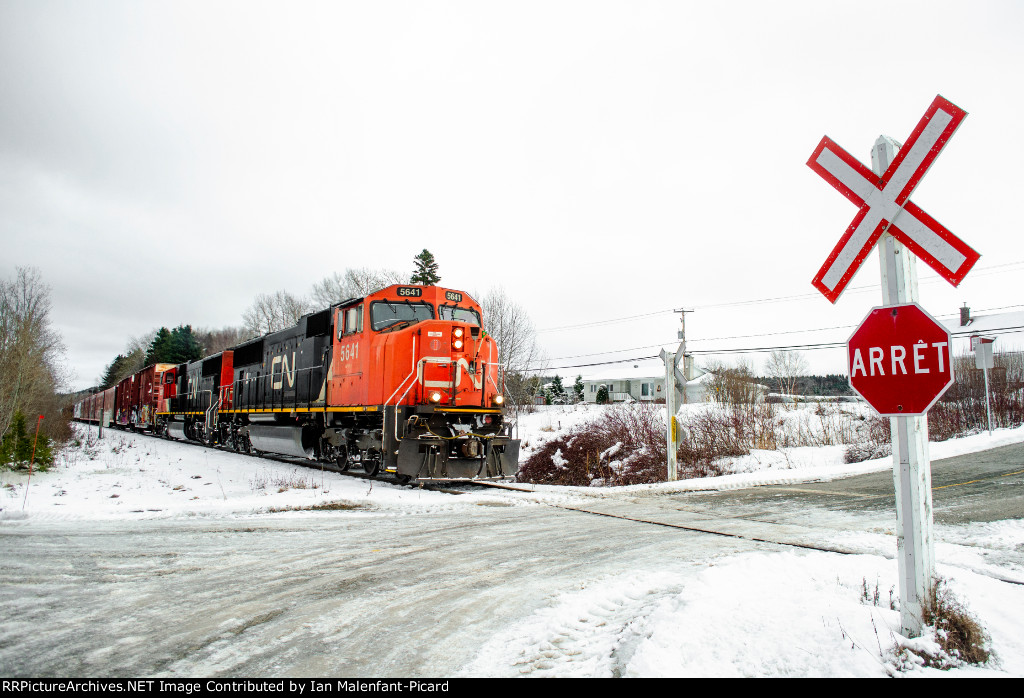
{"x":164,"y":163}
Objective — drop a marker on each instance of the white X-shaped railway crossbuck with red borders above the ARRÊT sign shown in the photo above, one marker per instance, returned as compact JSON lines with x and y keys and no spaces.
{"x":886,"y":207}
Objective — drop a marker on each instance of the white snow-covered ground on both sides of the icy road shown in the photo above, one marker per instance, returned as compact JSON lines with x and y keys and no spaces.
{"x":804,"y":618}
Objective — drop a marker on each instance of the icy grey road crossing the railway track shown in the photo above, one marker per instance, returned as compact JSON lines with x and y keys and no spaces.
{"x":359,"y":593}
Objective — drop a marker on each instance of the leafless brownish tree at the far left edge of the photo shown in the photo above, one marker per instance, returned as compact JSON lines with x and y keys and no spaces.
{"x":31,"y":354}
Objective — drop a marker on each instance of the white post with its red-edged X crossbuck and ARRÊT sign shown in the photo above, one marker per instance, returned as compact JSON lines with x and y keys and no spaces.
{"x":888,"y":217}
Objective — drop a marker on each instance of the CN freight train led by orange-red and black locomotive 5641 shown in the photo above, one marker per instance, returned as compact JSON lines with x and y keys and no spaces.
{"x":405,"y":381}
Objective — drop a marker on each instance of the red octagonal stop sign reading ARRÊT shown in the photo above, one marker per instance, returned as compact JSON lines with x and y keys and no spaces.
{"x":901,"y":361}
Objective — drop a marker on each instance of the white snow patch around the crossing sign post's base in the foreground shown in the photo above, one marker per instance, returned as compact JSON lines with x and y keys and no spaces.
{"x":757,"y":615}
